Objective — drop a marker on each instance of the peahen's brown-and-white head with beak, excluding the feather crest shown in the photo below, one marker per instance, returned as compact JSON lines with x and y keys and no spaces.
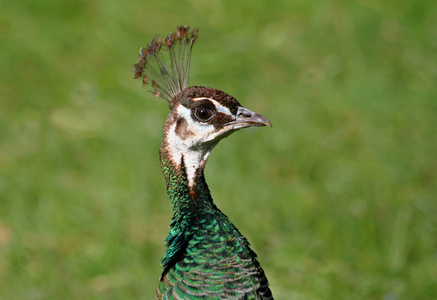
{"x":199,"y":119}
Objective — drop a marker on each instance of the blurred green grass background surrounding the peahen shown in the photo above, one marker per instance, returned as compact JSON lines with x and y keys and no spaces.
{"x":338,"y":198}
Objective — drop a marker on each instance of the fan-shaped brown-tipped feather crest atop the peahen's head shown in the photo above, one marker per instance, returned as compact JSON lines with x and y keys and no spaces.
{"x":168,"y":72}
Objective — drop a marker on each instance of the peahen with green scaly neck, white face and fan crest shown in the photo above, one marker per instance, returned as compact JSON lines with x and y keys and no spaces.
{"x":206,"y":257}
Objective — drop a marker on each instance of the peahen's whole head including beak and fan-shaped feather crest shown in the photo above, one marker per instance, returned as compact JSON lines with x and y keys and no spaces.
{"x":199,"y":116}
